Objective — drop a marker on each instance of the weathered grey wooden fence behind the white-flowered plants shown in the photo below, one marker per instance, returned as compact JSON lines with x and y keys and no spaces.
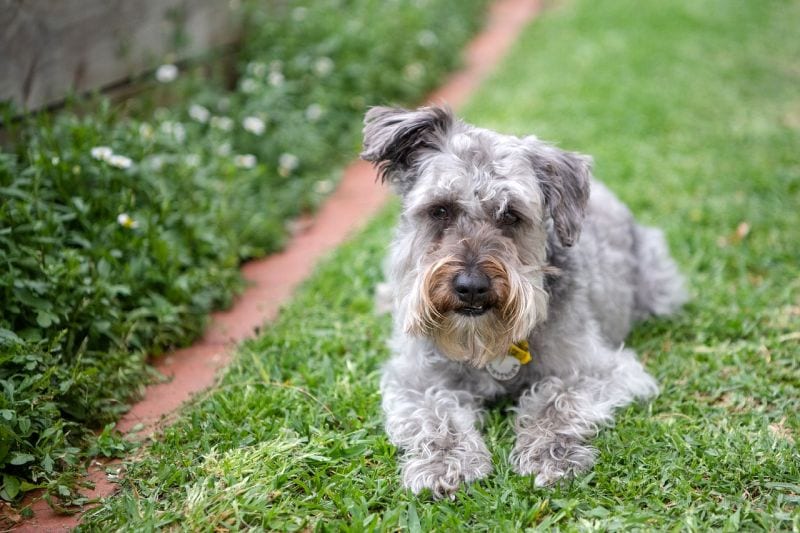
{"x":49,"y":48}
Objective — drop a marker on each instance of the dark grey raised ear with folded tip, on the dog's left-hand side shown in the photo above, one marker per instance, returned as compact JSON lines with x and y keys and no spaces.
{"x":393,"y":136}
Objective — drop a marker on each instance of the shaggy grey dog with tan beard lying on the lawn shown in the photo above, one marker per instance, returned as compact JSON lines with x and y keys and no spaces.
{"x":512,"y":273}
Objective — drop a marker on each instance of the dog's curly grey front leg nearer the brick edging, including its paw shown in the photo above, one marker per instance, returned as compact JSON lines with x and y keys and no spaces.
{"x":436,"y":429}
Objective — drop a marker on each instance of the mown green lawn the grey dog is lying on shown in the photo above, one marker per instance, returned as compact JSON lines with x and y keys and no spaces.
{"x":692,"y":113}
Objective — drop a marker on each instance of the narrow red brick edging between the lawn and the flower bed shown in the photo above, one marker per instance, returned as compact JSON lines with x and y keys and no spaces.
{"x":273,"y":279}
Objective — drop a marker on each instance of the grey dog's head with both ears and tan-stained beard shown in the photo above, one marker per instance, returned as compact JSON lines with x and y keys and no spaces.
{"x":469,"y":257}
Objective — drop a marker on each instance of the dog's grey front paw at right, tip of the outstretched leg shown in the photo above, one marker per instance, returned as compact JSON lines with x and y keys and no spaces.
{"x":552,"y":460}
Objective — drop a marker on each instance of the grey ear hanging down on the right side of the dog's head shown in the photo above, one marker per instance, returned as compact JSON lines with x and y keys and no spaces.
{"x":564,"y":178}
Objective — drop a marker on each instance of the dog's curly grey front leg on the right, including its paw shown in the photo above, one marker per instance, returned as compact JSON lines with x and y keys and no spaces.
{"x":557,"y":416}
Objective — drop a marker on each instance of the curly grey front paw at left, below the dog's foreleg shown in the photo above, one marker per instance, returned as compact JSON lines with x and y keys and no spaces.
{"x":443,"y":471}
